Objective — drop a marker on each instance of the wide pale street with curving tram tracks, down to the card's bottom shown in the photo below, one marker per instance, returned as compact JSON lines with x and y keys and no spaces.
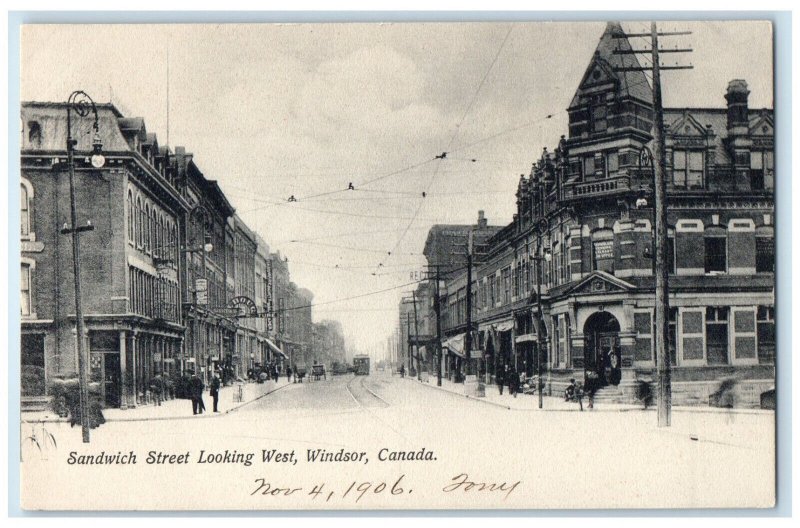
{"x":561,"y":458}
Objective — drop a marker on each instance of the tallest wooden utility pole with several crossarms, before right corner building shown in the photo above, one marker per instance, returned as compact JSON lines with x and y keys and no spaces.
{"x":664,"y":390}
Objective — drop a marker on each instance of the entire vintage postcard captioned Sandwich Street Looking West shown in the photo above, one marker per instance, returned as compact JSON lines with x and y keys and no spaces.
{"x":323,"y":266}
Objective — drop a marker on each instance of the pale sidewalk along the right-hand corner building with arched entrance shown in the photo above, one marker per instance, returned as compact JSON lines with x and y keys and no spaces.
{"x":530,"y":402}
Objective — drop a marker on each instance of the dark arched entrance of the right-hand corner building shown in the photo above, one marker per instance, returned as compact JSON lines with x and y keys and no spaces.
{"x":601,"y":350}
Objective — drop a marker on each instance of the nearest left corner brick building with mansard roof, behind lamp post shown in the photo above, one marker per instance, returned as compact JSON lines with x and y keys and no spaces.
{"x":131,"y":301}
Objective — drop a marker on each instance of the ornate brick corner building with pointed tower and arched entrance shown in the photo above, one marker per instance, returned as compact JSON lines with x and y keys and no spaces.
{"x":584,"y":224}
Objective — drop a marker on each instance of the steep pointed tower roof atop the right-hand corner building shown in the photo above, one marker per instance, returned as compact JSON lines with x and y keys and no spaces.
{"x":603,"y":65}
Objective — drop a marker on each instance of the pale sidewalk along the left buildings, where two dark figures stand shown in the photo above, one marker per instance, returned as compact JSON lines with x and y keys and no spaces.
{"x":179,"y":408}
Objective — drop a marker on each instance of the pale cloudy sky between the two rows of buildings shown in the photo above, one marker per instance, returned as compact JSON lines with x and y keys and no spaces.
{"x":278,"y":110}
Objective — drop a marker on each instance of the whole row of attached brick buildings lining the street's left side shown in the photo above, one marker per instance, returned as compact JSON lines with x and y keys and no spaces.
{"x":167,"y":271}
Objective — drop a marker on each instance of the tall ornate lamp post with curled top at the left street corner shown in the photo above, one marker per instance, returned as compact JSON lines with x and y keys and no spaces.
{"x":80,"y":103}
